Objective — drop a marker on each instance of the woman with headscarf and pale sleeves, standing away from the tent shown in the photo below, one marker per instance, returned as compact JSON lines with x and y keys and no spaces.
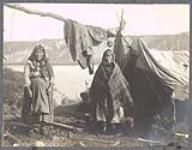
{"x":39,"y":80}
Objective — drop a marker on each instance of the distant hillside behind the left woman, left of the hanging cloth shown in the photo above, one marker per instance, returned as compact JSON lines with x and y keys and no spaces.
{"x":18,"y":52}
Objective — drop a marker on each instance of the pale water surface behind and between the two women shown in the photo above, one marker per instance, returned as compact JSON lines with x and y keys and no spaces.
{"x":69,"y":80}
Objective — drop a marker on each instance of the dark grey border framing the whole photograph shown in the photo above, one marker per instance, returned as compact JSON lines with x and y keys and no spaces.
{"x":93,"y":1}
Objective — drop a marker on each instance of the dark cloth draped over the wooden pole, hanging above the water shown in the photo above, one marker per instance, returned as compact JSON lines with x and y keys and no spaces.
{"x":81,"y":39}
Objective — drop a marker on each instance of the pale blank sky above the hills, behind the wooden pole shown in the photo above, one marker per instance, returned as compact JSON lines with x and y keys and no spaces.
{"x":140,"y":19}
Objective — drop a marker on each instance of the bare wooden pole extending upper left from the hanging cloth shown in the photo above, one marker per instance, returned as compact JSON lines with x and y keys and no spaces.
{"x":35,"y":12}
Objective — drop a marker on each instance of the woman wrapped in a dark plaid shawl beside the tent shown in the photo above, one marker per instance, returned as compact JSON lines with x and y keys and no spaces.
{"x":111,"y":99}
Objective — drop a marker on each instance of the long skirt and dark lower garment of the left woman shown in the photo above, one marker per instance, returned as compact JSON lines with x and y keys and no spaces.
{"x":40,"y":107}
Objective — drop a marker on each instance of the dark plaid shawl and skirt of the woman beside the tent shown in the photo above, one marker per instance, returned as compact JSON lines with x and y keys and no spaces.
{"x":115,"y":89}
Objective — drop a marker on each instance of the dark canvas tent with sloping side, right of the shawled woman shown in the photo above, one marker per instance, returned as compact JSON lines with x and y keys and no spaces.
{"x":151,"y":83}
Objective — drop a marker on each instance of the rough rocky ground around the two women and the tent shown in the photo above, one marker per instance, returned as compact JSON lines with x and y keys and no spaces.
{"x":75,"y":114}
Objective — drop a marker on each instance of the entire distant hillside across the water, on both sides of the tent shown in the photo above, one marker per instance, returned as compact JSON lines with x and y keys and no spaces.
{"x":18,"y":52}
